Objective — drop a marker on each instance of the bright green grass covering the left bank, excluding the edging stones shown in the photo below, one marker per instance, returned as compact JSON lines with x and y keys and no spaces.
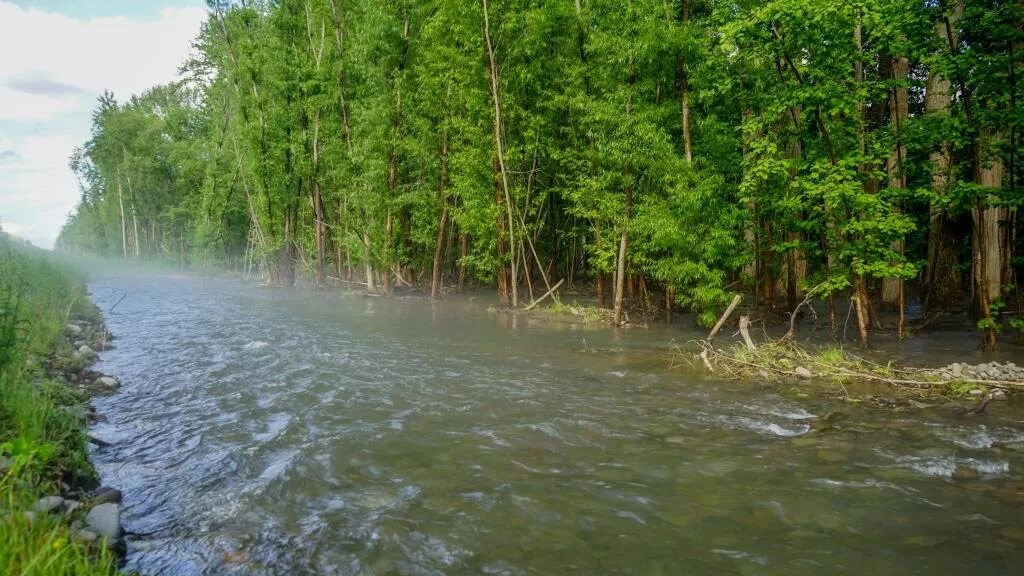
{"x":42,"y":442}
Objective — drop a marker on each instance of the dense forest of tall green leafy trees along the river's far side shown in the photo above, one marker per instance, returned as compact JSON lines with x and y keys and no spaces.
{"x":863,"y":151}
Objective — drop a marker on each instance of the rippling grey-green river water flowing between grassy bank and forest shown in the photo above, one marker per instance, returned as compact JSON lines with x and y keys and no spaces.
{"x":263,"y":432}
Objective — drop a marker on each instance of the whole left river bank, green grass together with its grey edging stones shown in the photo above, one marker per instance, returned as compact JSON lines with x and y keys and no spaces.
{"x":54,"y":519}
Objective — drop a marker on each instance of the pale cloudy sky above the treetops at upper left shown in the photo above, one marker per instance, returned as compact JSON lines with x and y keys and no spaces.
{"x":57,"y":58}
